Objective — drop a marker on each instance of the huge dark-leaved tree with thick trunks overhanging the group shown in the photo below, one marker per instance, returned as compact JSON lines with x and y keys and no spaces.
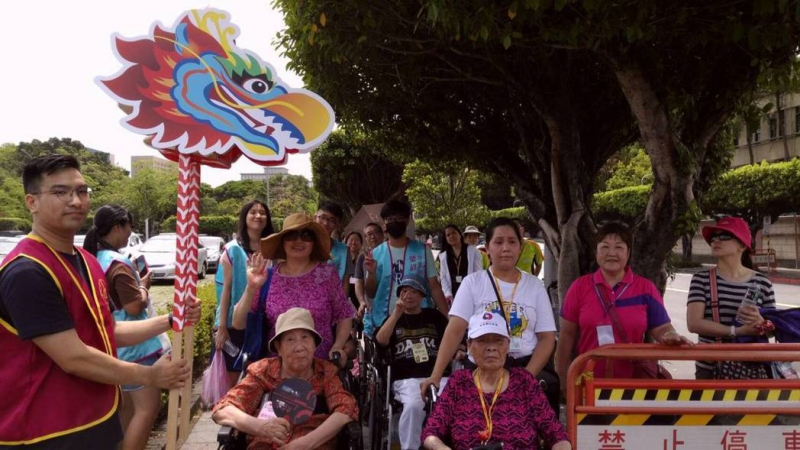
{"x":544,"y":92}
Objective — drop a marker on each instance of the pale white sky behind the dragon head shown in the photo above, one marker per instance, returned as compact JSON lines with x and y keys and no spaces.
{"x":54,"y":51}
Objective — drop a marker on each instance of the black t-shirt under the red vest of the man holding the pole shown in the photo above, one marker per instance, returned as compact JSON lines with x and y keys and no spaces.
{"x":31,"y":302}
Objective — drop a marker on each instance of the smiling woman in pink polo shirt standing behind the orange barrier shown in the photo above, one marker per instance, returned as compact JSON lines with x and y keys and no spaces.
{"x":611,"y":306}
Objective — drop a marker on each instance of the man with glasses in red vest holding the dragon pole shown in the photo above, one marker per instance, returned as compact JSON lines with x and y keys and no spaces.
{"x":59,"y":373}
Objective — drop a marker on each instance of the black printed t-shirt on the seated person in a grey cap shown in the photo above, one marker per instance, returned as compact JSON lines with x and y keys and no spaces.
{"x":425,"y":330}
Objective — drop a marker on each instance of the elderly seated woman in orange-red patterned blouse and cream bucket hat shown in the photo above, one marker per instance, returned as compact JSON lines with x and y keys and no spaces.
{"x":295,"y":342}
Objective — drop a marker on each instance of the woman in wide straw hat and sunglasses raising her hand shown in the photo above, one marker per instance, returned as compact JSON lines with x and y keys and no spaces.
{"x":302,"y":279}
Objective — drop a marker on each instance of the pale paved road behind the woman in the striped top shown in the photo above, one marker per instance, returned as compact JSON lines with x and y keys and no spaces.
{"x":787,"y":296}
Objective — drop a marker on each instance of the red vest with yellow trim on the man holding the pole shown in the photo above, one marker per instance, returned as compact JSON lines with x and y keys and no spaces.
{"x":38,"y":400}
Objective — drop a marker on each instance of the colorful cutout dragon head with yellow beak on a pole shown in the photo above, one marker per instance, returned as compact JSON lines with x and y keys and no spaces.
{"x":191,"y":90}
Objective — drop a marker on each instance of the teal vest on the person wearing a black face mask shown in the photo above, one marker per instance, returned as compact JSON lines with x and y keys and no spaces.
{"x":416,"y":262}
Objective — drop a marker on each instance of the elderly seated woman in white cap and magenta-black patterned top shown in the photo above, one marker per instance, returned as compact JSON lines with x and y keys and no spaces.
{"x":492,"y":407}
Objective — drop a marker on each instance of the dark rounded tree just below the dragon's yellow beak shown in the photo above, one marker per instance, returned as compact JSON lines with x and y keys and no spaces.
{"x":354,"y":171}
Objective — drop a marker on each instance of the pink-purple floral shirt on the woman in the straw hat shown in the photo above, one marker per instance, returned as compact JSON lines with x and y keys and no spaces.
{"x":320,"y":291}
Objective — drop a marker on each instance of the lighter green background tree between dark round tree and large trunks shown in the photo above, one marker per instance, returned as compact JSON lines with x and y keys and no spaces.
{"x":444,"y":194}
